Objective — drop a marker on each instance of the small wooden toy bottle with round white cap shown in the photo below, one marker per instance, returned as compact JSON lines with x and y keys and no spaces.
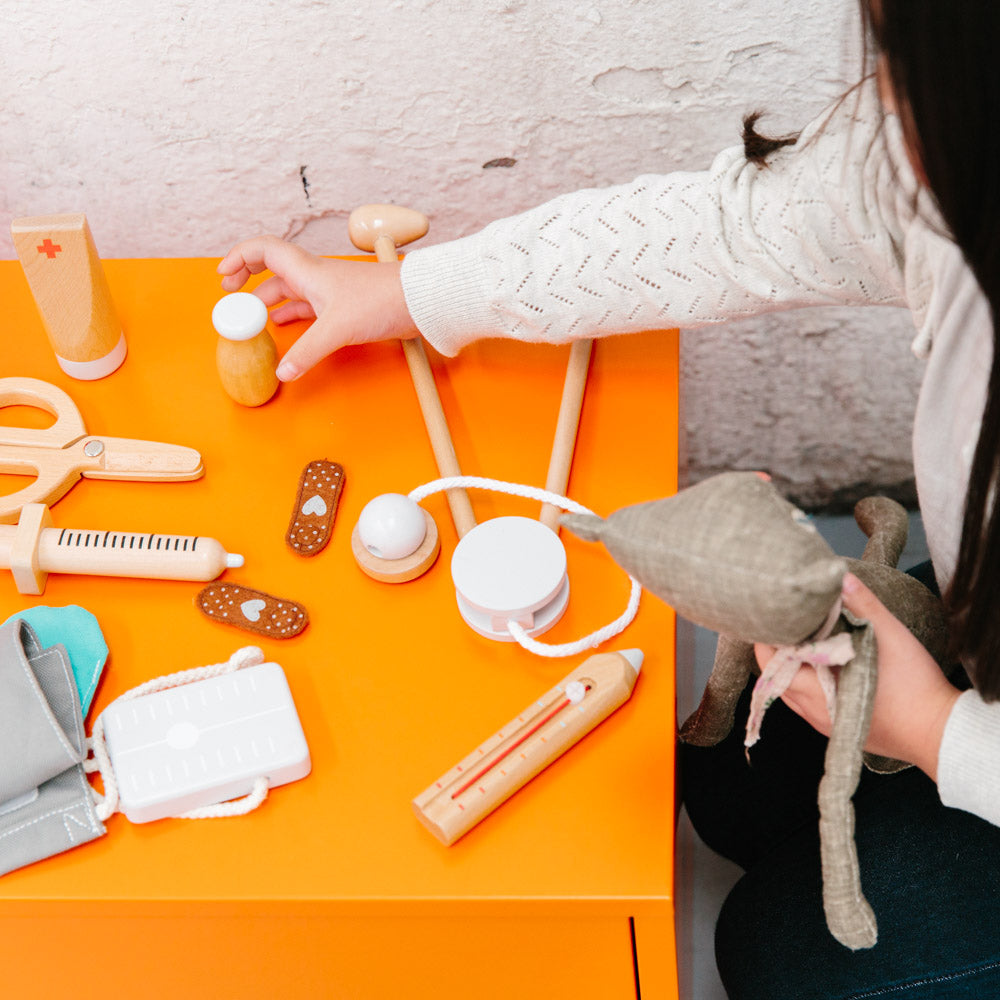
{"x":245,"y":355}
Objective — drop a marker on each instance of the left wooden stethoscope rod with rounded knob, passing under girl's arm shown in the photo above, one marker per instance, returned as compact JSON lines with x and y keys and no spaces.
{"x":382,"y":229}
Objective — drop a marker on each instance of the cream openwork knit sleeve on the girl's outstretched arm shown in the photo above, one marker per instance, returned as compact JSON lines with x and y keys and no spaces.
{"x":822,"y":223}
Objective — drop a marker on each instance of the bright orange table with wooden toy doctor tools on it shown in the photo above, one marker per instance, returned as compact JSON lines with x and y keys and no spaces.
{"x":332,"y":888}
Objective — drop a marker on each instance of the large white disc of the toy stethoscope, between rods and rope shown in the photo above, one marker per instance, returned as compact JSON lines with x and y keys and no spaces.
{"x":510,"y":569}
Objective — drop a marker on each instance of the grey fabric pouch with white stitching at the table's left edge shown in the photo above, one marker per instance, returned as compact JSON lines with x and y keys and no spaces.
{"x":46,"y":803}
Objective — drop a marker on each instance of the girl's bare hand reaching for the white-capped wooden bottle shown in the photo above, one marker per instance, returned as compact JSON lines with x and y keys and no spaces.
{"x":352,"y":302}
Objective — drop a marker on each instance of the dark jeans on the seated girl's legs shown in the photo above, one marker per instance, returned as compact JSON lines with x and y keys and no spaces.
{"x":931,"y":874}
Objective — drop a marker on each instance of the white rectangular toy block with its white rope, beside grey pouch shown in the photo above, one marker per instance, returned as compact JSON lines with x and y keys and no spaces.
{"x":201,"y":743}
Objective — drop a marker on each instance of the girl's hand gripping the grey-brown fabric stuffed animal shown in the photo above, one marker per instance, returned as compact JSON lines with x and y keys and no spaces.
{"x":913,"y":699}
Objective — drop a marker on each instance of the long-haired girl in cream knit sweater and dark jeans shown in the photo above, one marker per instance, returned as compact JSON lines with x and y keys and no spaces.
{"x":890,"y":198}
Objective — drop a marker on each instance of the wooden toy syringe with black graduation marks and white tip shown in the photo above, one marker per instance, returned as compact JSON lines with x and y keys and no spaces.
{"x":33,"y":548}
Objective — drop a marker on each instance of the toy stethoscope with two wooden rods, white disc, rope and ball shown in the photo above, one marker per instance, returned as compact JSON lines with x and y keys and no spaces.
{"x":509,"y":572}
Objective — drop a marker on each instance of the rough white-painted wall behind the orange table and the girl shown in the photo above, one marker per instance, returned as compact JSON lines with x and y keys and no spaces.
{"x":180,"y":127}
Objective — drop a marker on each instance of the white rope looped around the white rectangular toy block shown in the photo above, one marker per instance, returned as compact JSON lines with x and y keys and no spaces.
{"x":99,"y":759}
